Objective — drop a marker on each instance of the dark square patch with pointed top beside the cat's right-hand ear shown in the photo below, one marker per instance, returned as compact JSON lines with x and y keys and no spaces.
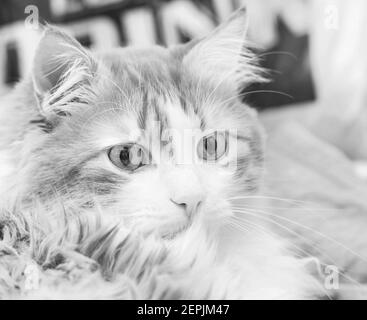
{"x":290,"y":73}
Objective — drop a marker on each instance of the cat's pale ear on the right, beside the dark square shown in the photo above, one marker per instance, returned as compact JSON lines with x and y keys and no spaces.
{"x":223,"y":55}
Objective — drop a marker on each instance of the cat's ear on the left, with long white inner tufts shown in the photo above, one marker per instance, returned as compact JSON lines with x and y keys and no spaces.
{"x":61,"y":73}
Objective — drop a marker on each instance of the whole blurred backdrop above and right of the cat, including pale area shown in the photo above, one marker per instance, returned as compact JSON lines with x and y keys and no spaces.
{"x":315,"y":51}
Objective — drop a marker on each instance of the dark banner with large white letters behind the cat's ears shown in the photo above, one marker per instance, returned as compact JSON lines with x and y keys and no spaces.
{"x":282,"y":43}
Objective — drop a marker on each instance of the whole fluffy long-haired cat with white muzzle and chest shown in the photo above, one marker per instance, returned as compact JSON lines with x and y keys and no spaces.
{"x":103,"y":131}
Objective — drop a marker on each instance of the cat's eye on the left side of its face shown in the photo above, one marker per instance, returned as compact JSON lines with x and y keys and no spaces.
{"x":129,"y":156}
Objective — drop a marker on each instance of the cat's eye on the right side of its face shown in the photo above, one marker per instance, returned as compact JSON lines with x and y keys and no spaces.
{"x":213,"y":147}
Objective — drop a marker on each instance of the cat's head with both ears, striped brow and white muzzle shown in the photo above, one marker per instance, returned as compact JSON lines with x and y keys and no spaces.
{"x":157,"y":136}
